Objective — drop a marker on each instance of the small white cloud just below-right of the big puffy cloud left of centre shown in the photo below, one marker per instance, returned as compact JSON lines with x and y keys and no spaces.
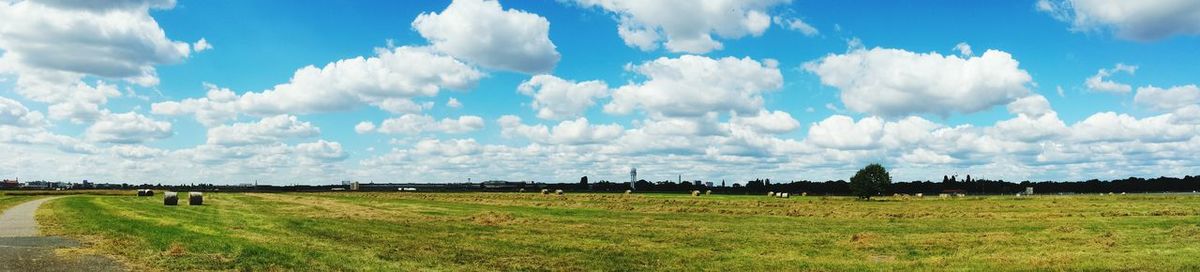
{"x":557,"y":99}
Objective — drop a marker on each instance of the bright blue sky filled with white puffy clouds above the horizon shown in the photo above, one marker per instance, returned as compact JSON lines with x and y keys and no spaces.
{"x":285,"y":93}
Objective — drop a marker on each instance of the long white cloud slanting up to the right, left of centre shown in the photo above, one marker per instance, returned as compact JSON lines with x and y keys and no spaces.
{"x":388,"y":81}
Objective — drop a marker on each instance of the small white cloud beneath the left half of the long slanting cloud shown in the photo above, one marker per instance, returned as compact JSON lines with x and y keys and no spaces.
{"x":266,"y":131}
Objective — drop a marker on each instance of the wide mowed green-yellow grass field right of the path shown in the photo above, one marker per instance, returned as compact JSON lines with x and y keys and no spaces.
{"x":527,"y":232}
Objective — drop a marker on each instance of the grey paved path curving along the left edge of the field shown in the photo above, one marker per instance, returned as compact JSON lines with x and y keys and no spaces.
{"x":23,"y":250}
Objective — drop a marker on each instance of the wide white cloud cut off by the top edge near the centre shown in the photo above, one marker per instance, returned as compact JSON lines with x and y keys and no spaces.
{"x":683,"y":26}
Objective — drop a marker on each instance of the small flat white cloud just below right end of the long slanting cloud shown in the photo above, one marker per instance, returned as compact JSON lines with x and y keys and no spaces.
{"x":415,"y":124}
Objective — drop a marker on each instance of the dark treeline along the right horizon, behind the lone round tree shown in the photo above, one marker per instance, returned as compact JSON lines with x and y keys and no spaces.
{"x":970,"y":186}
